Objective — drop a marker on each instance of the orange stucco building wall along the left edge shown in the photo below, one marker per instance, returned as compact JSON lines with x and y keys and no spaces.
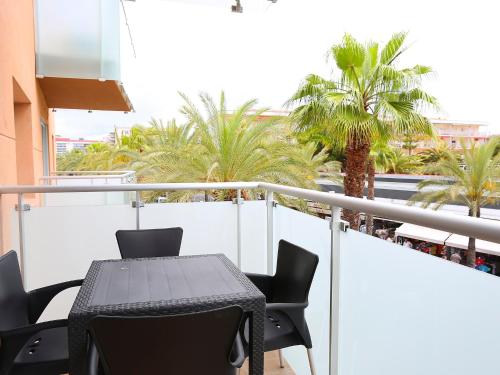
{"x":22,"y":108}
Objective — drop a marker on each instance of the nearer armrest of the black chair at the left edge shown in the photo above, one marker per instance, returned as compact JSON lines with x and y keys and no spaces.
{"x":12,"y":341}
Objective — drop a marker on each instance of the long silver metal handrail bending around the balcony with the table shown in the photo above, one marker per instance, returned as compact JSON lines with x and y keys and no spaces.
{"x":474,"y":227}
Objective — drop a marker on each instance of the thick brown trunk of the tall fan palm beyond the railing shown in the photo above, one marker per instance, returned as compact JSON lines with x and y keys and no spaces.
{"x":354,"y":180}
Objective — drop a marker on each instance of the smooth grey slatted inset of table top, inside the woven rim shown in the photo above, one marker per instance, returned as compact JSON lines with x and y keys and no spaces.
{"x":158,"y":279}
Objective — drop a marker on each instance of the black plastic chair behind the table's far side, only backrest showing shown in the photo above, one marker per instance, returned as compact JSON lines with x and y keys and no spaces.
{"x":149,"y":243}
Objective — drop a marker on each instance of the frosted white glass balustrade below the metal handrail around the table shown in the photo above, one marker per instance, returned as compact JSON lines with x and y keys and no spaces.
{"x":400,"y":311}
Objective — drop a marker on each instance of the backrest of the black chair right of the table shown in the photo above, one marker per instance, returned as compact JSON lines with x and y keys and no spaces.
{"x":295,"y":270}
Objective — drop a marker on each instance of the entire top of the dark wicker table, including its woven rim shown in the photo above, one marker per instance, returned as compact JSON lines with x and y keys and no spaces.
{"x":131,"y":283}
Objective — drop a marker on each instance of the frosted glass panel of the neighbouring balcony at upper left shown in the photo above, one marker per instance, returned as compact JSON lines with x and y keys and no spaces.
{"x":78,"y":39}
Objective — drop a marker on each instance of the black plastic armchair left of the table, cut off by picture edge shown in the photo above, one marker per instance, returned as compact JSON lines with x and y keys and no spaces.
{"x":27,"y":348}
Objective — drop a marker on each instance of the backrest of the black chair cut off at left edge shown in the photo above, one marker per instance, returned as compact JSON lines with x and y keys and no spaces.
{"x":13,"y":298}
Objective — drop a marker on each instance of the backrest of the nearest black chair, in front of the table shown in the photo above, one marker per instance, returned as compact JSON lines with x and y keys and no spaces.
{"x":190,"y":344}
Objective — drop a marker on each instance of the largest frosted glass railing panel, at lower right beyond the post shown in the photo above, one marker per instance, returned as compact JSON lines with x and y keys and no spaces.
{"x":406,"y":312}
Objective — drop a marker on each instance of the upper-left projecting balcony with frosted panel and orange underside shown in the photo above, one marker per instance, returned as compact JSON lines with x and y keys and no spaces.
{"x":78,"y":54}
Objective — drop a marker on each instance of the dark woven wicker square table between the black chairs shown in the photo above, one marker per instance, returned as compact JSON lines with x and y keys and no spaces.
{"x":163,"y":286}
